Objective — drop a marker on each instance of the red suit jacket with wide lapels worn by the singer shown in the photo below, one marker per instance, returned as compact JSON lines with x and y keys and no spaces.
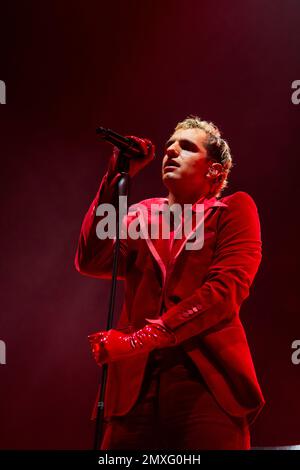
{"x":197,"y":293}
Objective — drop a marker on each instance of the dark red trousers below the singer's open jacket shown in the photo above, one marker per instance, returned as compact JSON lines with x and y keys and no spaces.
{"x":175,"y":411}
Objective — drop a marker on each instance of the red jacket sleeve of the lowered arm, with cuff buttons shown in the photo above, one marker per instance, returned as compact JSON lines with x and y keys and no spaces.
{"x":229,"y":277}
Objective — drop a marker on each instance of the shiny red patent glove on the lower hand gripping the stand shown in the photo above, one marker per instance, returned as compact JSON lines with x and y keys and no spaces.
{"x":113,"y":345}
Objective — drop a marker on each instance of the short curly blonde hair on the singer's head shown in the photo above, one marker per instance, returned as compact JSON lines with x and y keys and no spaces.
{"x":217,"y":148}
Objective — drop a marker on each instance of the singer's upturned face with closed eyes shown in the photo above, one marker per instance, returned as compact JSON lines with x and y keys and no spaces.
{"x":185,"y":163}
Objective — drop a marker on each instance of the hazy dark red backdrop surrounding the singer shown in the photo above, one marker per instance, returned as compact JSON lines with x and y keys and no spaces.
{"x":137,"y":67}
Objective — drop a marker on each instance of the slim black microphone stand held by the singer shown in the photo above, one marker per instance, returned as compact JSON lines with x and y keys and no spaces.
{"x":122,"y":190}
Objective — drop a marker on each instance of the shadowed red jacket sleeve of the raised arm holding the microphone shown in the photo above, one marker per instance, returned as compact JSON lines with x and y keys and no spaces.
{"x":94,"y":256}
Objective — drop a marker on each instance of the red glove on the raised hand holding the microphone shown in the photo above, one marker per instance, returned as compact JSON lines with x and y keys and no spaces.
{"x":135,"y":163}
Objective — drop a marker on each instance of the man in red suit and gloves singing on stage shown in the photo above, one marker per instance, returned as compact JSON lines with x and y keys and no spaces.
{"x":180,"y":373}
